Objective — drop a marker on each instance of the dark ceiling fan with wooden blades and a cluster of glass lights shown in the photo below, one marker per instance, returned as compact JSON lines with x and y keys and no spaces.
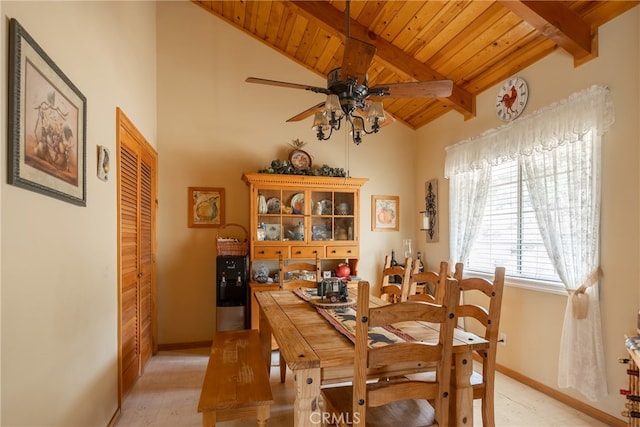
{"x":348,"y":92}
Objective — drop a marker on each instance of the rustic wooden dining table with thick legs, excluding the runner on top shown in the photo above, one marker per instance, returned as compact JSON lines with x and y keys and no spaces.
{"x":318,"y":354}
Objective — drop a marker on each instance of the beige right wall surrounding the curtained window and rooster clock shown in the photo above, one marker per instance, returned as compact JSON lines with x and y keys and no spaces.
{"x":532,"y":320}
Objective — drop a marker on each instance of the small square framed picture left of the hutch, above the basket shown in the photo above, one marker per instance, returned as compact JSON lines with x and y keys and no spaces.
{"x":206,"y":207}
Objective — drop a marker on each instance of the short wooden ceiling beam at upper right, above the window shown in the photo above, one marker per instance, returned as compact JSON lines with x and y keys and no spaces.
{"x":560,"y":24}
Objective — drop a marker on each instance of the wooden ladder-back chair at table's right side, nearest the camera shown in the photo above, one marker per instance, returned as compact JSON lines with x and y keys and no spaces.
{"x":484,"y":315}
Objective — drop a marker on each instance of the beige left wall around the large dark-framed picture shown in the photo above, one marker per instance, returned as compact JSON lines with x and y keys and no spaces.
{"x":59,"y":282}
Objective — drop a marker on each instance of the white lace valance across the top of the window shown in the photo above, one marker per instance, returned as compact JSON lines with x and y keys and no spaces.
{"x":557,"y":124}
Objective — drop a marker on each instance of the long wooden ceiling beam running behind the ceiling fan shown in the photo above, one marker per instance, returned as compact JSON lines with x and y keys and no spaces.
{"x":333,"y":21}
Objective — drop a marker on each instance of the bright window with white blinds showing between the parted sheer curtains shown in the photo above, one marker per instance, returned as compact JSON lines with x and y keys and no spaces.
{"x":509,"y":235}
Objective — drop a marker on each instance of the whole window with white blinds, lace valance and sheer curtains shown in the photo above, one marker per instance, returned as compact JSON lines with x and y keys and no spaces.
{"x":557,"y":150}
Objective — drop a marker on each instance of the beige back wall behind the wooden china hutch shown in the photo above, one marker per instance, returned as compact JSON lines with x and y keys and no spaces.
{"x":213,"y":126}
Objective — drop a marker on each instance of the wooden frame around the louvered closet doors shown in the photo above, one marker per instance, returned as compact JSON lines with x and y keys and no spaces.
{"x":124,"y":124}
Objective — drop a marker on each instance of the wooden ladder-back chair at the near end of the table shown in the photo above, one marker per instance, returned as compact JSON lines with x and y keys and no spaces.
{"x":400,"y":402}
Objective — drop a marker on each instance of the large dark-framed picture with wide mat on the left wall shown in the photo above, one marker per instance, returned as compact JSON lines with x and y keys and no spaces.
{"x":47,"y":123}
